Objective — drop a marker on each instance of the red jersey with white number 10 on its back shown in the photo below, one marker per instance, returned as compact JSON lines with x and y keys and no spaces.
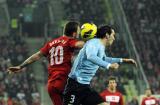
{"x":59,"y":52}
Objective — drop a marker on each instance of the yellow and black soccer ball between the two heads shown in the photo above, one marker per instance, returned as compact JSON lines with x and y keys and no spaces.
{"x":88,"y":31}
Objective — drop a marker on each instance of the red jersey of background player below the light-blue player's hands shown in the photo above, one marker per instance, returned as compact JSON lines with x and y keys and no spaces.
{"x":112,"y":98}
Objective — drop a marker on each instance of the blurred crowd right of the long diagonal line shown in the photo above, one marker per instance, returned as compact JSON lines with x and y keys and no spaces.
{"x":143,"y":18}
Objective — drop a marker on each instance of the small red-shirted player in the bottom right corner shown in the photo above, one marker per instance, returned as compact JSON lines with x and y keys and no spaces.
{"x":149,"y":99}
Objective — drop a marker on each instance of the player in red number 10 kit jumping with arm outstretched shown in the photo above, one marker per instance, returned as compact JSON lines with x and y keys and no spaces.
{"x":59,"y":52}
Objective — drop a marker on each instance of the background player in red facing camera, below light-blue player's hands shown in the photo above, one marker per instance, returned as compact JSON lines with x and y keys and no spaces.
{"x":111,"y":95}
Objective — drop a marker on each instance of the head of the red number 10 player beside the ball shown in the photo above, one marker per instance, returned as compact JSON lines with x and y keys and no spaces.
{"x":72,"y":29}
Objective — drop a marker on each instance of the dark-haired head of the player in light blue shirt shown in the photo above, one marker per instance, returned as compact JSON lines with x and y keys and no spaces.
{"x":106,"y":32}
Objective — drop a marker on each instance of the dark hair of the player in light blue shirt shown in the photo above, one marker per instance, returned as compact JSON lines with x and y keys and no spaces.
{"x":101,"y":32}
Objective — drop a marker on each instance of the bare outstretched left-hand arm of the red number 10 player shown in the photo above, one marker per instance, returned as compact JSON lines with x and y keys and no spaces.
{"x":28,"y":61}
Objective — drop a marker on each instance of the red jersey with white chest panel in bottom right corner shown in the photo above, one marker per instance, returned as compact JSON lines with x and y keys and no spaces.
{"x":149,"y":101}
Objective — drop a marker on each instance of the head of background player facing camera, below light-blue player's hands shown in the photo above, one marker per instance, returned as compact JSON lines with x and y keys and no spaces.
{"x":112,"y":84}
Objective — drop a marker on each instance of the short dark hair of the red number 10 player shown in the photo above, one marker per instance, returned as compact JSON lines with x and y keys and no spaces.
{"x":70,"y":27}
